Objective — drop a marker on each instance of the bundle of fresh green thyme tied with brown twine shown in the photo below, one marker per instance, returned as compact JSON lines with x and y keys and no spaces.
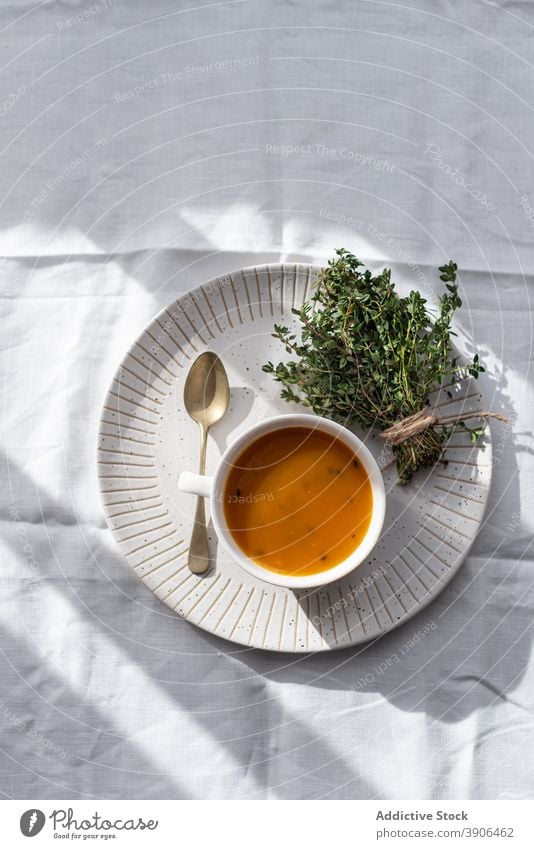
{"x":369,"y":357}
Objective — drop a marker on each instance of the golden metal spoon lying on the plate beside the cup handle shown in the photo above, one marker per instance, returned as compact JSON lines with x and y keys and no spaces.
{"x":206,"y":396}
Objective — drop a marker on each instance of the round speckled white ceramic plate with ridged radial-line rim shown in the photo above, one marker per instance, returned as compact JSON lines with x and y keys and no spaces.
{"x":146,"y":439}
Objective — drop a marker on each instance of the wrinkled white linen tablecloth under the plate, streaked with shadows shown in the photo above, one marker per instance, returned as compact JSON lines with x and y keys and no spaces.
{"x":419,"y":120}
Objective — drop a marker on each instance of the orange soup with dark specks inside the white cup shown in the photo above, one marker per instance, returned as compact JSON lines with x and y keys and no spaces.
{"x":298,"y":501}
